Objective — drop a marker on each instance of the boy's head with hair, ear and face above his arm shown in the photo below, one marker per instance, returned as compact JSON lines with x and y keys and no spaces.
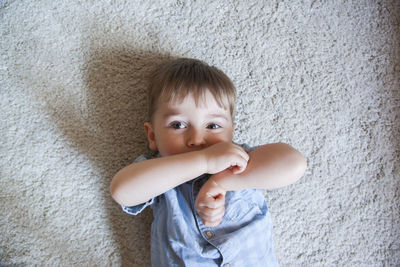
{"x":191,"y":106}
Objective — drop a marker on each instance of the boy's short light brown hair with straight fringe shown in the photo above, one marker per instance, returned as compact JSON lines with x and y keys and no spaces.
{"x":175,"y":79}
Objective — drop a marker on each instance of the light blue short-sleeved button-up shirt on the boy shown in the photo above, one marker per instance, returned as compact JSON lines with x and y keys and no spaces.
{"x":179,"y":237}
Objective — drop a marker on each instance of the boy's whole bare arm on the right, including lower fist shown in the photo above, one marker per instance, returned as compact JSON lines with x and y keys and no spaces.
{"x":270,"y":166}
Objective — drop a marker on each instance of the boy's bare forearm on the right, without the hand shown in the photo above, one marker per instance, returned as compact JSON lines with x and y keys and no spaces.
{"x":270,"y":166}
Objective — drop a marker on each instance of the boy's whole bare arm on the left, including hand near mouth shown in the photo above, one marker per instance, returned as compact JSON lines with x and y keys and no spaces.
{"x":139,"y":182}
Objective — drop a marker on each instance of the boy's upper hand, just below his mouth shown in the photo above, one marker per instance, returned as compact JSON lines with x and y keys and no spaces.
{"x":225,"y":155}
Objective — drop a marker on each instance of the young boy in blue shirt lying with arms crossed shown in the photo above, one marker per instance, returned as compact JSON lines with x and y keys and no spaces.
{"x":204,"y":189}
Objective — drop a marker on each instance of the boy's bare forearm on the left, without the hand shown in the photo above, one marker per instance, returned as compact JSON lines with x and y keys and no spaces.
{"x":139,"y":182}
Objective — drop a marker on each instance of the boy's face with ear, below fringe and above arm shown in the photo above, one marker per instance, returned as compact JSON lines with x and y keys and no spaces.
{"x":184,"y":127}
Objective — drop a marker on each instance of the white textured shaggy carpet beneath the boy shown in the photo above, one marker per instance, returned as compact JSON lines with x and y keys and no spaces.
{"x":324,"y":78}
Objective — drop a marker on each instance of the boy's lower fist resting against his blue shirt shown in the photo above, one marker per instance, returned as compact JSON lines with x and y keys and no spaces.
{"x":210,"y":203}
